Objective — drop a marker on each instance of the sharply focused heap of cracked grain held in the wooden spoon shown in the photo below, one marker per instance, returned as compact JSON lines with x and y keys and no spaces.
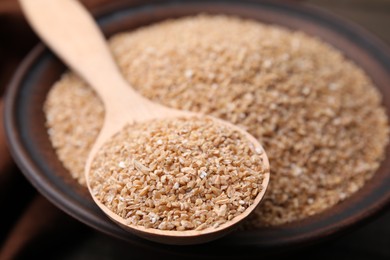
{"x":178,"y":174}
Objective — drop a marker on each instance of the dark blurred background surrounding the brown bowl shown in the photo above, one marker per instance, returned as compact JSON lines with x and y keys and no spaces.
{"x":31,"y":226}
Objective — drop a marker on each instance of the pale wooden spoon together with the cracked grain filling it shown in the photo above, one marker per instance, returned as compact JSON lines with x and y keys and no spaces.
{"x":167,"y":175}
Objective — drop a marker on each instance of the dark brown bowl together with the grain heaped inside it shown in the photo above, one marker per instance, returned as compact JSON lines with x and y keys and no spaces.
{"x":311,"y":87}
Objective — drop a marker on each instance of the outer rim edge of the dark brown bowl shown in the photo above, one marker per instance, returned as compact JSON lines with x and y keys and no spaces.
{"x":66,"y":203}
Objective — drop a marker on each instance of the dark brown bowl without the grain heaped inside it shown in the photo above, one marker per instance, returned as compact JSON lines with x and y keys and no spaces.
{"x":30,"y":146}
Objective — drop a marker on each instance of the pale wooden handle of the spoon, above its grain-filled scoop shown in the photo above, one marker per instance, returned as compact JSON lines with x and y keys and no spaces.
{"x":69,"y":30}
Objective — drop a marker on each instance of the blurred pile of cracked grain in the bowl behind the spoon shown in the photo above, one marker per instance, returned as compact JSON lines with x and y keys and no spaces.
{"x":315,"y":112}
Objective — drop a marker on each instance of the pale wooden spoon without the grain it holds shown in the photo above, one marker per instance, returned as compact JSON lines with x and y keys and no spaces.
{"x":73,"y":35}
